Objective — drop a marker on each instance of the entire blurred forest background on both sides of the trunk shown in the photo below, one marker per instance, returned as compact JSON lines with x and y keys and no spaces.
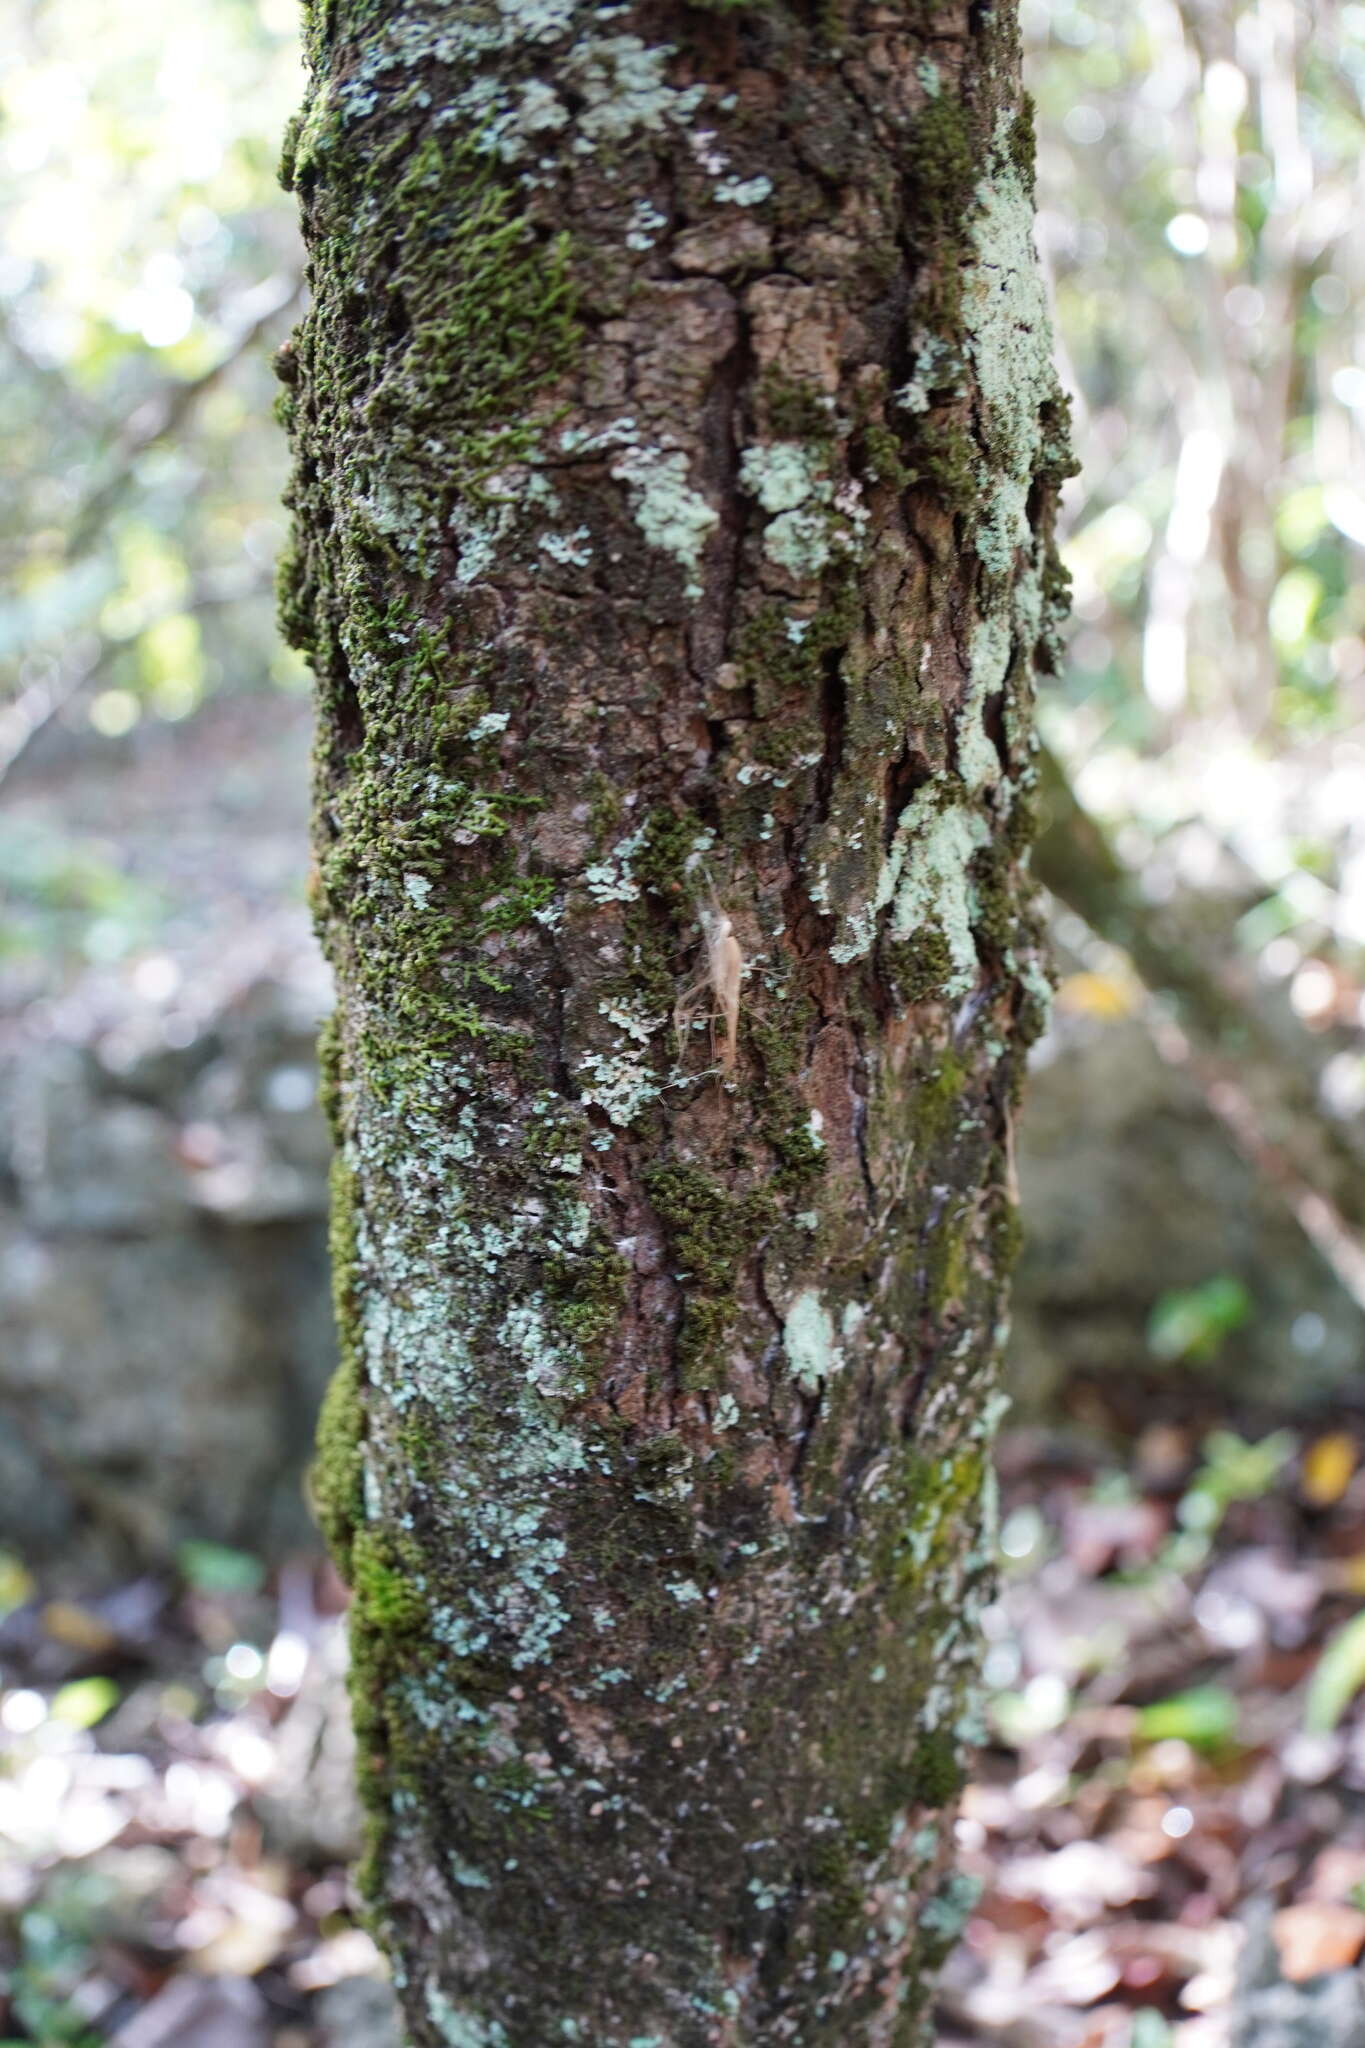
{"x":1168,"y":1842}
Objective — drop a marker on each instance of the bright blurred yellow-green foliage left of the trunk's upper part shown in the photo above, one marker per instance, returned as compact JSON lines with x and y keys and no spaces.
{"x":148,"y":261}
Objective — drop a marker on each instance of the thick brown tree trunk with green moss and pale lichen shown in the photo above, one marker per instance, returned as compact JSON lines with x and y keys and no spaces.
{"x":676,"y":458}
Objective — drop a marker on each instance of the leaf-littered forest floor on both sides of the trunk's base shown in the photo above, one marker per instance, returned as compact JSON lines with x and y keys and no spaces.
{"x":1172,"y":1666}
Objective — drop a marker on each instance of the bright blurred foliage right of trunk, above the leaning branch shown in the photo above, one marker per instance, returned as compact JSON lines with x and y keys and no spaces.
{"x":1200,"y":191}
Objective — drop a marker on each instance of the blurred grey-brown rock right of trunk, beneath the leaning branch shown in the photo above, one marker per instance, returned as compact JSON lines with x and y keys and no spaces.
{"x":1131,"y":1191}
